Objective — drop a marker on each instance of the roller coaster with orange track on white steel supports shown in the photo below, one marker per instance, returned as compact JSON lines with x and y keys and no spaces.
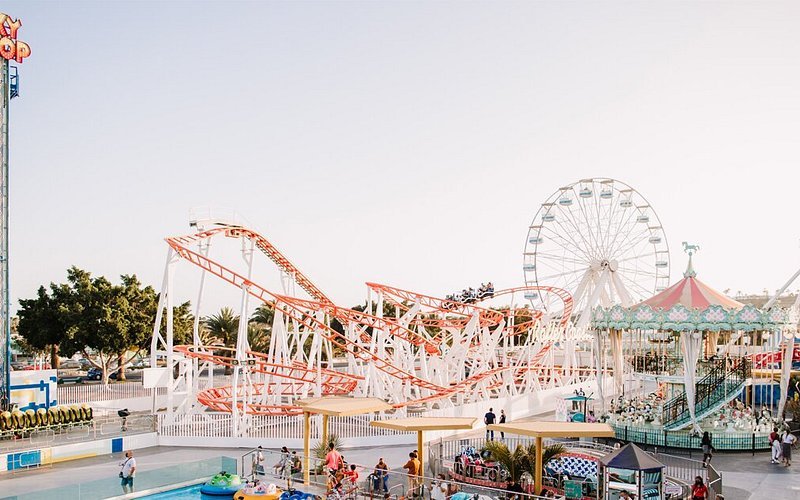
{"x":434,"y":353}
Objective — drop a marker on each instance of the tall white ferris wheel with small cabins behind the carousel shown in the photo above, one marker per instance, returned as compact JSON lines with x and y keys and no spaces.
{"x":602,"y":241}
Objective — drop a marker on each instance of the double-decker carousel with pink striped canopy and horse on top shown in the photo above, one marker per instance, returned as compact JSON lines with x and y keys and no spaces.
{"x":682,"y":365}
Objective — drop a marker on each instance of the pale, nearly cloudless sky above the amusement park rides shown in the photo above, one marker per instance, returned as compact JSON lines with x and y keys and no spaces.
{"x":407,"y":143}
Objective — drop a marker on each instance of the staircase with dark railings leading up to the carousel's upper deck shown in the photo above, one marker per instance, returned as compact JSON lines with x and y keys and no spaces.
{"x":723,"y":383}
